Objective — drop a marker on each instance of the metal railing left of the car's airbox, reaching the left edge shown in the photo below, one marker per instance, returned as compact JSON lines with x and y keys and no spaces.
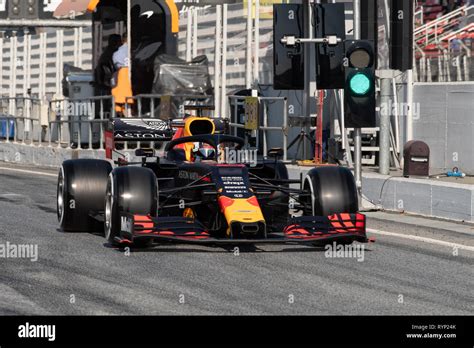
{"x":80,"y":123}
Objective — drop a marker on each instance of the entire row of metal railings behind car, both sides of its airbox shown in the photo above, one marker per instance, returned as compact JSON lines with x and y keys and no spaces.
{"x":80,"y":123}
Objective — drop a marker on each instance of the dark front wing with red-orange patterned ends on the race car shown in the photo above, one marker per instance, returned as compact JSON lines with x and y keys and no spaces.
{"x":300,"y":230}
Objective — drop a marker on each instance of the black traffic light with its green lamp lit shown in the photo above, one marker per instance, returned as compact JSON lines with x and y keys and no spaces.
{"x":359,"y":89}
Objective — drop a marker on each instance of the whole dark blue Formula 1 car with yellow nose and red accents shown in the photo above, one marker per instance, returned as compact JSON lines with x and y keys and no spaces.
{"x":190,"y":195}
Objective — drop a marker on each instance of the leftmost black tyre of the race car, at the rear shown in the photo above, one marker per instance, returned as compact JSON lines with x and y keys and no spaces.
{"x":80,"y":191}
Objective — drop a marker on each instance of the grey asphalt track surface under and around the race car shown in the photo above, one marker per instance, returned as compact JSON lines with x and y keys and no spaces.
{"x":78,"y":273}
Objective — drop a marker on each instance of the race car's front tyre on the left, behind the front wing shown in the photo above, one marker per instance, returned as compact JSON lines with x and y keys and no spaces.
{"x":132,"y":190}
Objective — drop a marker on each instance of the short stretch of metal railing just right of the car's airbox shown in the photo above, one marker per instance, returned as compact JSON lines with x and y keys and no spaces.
{"x":237,"y":101}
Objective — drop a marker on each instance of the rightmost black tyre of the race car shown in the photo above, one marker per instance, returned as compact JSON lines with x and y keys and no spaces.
{"x":332,"y":191}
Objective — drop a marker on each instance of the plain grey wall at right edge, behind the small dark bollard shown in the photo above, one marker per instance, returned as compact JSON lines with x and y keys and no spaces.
{"x":446,"y":123}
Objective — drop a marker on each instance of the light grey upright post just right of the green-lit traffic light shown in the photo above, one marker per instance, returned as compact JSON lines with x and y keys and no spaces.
{"x":385,"y":114}
